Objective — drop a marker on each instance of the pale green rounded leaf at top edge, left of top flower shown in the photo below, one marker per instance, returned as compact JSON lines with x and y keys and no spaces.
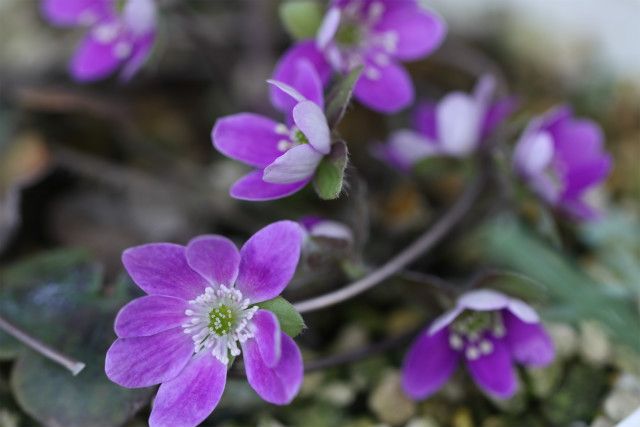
{"x":301,"y":18}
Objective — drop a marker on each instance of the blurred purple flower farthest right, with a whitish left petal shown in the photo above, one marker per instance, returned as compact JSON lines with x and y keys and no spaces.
{"x":561,"y":158}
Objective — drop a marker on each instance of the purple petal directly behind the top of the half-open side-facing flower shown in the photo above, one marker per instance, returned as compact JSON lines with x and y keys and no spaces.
{"x":287,"y":71}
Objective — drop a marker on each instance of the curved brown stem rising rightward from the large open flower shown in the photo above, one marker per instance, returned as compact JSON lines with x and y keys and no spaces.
{"x":425,"y":242}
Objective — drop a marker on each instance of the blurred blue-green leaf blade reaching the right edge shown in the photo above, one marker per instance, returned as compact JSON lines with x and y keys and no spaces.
{"x":574,"y":294}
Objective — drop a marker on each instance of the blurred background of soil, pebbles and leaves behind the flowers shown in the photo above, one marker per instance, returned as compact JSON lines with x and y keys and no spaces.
{"x":89,"y":170}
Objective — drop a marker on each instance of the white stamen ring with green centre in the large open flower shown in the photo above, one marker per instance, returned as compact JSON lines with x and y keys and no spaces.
{"x":218,"y":320}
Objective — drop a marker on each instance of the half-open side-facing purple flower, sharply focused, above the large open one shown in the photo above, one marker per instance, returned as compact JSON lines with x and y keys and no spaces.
{"x":285,"y":155}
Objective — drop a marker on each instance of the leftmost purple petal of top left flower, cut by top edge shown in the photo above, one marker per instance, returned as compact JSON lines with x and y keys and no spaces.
{"x":76,"y":12}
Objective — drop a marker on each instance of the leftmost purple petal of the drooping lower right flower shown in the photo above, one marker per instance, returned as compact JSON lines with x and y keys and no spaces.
{"x":428,"y":364}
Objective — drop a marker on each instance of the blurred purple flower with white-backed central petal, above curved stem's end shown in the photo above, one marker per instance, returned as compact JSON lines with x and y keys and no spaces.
{"x":456,"y":126}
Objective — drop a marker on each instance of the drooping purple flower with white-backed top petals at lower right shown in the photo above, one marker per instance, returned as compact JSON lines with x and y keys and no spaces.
{"x":489,"y":331}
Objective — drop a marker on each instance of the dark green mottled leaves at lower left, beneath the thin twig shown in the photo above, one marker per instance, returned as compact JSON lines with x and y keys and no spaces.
{"x":55,"y":297}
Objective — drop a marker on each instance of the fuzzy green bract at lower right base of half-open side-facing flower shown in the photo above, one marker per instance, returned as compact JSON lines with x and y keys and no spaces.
{"x":329,"y":178}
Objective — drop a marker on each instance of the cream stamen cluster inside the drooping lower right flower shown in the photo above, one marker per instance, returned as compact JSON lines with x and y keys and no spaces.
{"x":471,"y":332}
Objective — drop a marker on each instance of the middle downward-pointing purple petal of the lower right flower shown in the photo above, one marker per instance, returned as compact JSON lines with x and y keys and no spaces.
{"x":494,"y":372}
